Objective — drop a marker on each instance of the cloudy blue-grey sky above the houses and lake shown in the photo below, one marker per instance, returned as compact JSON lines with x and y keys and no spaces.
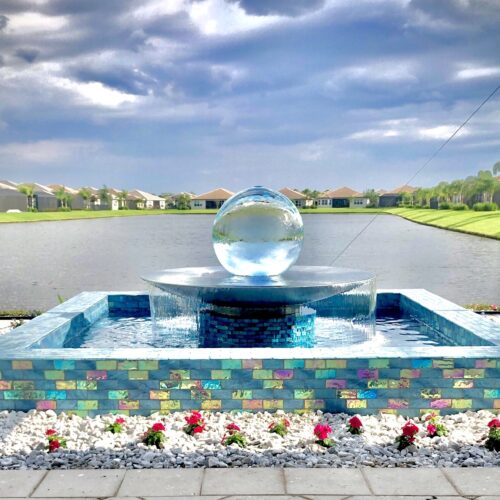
{"x":189,"y":95}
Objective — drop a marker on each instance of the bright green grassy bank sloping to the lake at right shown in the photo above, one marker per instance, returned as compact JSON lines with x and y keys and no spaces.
{"x":467,"y":221}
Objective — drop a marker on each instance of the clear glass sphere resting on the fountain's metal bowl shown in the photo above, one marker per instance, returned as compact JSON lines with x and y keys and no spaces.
{"x":258,"y":232}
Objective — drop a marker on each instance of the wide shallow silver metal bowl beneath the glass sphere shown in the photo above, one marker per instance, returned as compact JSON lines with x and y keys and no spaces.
{"x":299,"y":285}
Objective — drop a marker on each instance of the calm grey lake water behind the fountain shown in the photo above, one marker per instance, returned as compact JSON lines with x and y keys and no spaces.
{"x":43,"y":260}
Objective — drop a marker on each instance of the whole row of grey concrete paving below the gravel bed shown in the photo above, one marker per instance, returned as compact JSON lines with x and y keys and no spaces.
{"x":241,"y":484}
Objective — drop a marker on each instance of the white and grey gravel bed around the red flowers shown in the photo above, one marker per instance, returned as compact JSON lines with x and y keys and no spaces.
{"x":23,"y":440}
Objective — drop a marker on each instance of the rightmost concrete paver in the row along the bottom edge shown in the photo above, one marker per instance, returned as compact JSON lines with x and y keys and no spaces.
{"x":477,"y":481}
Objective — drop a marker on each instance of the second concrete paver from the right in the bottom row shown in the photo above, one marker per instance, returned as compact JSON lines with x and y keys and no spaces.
{"x":422,"y":481}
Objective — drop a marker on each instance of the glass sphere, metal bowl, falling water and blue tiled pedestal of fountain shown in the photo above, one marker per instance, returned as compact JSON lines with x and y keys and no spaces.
{"x":258,"y":297}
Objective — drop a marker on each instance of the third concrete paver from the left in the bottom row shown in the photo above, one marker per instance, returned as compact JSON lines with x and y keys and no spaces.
{"x":161,"y":482}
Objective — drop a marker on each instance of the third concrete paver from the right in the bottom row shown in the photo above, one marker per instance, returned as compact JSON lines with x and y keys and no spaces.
{"x":325,"y":482}
